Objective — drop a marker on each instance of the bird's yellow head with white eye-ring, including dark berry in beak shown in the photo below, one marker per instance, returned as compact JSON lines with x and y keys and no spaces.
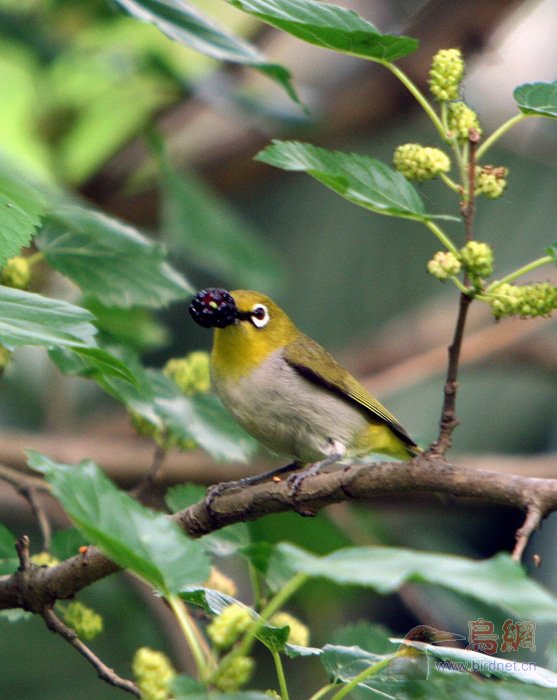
{"x":248,"y":327}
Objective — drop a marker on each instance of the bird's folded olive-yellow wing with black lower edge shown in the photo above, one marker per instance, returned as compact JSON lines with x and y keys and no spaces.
{"x":304,"y":354}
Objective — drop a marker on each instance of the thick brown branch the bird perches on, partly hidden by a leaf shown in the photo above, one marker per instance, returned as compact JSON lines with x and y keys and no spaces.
{"x":37,"y":588}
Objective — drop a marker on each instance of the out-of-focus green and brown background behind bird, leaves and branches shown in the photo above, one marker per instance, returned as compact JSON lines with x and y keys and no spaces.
{"x":79,"y":85}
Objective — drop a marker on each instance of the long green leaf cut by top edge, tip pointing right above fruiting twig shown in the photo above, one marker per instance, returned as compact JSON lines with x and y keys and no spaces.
{"x":329,"y":26}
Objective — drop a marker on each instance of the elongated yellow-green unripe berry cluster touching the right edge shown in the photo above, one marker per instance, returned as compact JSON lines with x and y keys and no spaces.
{"x":525,"y":300}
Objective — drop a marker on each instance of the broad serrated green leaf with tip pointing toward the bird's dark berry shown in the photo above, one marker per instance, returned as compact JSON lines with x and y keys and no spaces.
{"x":110,"y":261}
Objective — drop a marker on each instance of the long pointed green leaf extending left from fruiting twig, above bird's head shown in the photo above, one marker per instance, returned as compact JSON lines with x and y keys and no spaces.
{"x":360,"y":179}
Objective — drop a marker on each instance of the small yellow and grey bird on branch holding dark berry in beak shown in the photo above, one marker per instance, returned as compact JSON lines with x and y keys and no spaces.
{"x":287,"y":391}
